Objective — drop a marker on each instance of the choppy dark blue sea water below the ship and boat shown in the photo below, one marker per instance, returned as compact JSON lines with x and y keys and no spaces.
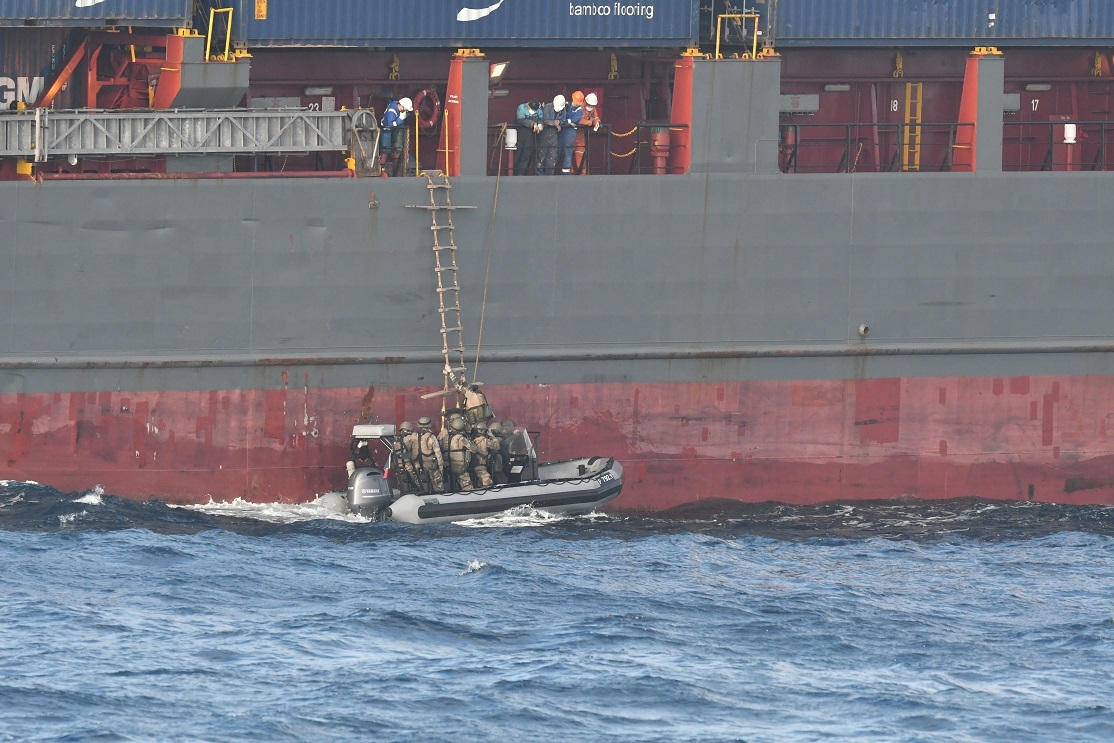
{"x":957,"y":621}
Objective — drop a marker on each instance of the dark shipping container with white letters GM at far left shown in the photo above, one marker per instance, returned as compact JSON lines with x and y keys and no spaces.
{"x":28,"y":60}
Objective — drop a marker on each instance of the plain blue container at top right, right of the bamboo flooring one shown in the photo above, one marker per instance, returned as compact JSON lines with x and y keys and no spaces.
{"x":940,"y":23}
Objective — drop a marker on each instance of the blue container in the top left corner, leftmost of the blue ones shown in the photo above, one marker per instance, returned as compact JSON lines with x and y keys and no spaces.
{"x":97,"y":13}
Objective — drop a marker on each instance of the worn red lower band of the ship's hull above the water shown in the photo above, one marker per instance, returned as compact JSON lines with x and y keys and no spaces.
{"x":796,"y":442}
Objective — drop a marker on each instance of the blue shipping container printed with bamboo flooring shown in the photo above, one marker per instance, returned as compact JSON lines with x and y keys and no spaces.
{"x":485,"y":24}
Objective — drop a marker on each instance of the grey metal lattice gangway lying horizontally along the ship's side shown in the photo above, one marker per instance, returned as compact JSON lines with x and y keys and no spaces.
{"x":42,"y":134}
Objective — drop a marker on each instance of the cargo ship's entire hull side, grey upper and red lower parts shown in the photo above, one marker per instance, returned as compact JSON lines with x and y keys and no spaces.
{"x":758,"y":338}
